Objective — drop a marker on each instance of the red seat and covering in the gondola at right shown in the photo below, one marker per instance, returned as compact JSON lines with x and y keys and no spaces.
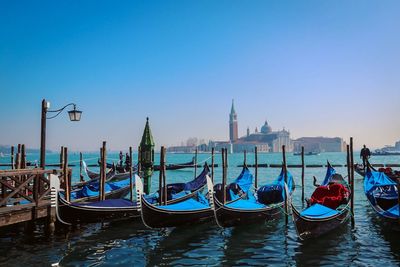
{"x":332,"y":195}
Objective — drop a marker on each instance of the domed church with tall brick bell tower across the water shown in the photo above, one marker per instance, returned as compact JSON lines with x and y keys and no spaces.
{"x":266,"y":140}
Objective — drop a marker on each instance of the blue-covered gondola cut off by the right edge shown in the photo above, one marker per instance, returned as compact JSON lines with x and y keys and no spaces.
{"x":382,"y":194}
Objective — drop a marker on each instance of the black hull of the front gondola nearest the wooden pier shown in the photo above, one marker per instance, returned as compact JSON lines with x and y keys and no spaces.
{"x":75,"y":214}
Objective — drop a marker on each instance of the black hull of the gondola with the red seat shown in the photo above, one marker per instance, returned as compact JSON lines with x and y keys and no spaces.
{"x":311,"y":228}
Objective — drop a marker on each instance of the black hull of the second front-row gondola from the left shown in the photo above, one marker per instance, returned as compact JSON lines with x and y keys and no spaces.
{"x":155,"y":217}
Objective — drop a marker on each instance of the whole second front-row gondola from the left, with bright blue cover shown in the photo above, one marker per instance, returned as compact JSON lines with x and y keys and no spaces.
{"x":195,"y":209}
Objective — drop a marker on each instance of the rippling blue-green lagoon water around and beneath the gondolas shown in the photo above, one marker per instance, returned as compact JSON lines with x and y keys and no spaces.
{"x":129,"y":243}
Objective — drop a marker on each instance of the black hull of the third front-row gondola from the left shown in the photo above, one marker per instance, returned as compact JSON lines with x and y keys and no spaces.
{"x":227,"y":217}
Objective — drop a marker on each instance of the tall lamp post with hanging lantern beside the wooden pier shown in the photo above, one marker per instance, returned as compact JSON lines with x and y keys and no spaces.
{"x":74,"y":115}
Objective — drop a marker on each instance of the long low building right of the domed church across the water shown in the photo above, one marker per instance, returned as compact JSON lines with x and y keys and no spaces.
{"x":319,"y":144}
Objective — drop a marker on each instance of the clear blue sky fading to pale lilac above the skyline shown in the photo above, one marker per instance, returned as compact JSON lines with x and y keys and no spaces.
{"x":317,"y":68}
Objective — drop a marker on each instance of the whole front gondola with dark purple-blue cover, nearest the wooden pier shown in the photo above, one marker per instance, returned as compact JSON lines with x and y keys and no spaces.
{"x":88,"y":212}
